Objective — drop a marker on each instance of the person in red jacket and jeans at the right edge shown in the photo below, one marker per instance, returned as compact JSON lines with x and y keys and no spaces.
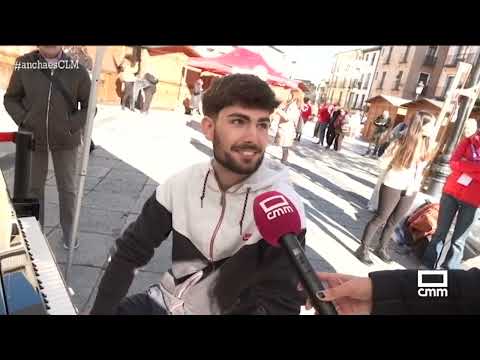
{"x":461,"y":197}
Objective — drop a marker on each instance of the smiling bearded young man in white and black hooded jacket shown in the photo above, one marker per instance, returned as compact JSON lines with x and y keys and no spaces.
{"x":220,"y":264}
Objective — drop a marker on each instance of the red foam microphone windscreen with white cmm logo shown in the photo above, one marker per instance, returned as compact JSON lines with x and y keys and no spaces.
{"x":275,"y":216}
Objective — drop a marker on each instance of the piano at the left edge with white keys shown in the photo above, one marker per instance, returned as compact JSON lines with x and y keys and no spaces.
{"x":30,"y":281}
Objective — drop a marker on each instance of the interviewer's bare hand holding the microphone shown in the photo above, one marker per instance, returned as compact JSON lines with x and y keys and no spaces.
{"x":352,"y":295}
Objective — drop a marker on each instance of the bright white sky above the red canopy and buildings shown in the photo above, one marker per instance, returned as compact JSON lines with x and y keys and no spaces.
{"x":314,"y":63}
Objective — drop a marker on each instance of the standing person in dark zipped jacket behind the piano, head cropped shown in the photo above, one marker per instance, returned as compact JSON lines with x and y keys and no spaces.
{"x":48,"y":96}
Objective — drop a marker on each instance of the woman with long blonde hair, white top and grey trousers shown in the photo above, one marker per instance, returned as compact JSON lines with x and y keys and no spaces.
{"x":404,"y":162}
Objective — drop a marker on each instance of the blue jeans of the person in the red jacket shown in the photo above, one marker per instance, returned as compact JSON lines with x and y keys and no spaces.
{"x":466,"y":216}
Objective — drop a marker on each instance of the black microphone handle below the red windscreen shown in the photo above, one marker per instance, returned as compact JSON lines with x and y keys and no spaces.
{"x":307,"y":274}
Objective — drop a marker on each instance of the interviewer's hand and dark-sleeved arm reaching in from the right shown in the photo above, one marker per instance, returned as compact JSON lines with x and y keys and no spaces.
{"x":396,"y":292}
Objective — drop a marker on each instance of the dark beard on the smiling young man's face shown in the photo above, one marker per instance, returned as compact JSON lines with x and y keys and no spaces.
{"x":225,"y":159}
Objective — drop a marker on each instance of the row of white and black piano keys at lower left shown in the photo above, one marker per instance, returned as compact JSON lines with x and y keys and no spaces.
{"x":50,"y":280}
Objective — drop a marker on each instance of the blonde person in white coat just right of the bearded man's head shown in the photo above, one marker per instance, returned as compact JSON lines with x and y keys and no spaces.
{"x":289,"y":115}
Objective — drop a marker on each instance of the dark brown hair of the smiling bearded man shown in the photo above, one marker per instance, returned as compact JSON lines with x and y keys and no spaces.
{"x":238,"y":89}
